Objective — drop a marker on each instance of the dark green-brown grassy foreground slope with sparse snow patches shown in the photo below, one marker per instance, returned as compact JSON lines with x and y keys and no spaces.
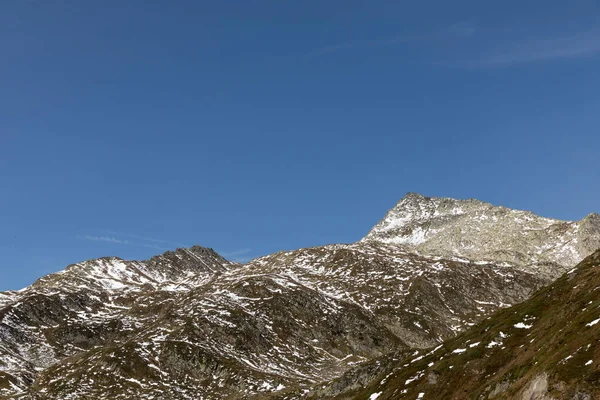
{"x":546,"y":348}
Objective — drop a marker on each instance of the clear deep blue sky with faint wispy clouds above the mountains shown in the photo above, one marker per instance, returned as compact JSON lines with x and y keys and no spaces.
{"x":132,"y":127}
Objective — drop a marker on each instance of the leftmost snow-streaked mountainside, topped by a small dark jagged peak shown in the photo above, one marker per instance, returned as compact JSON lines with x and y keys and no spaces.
{"x":90,"y":304}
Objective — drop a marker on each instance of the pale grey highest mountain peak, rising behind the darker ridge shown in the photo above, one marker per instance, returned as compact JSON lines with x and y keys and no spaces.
{"x":481,"y":231}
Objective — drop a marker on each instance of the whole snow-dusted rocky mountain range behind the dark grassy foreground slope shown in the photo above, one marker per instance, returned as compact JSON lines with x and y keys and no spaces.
{"x":189,"y":324}
